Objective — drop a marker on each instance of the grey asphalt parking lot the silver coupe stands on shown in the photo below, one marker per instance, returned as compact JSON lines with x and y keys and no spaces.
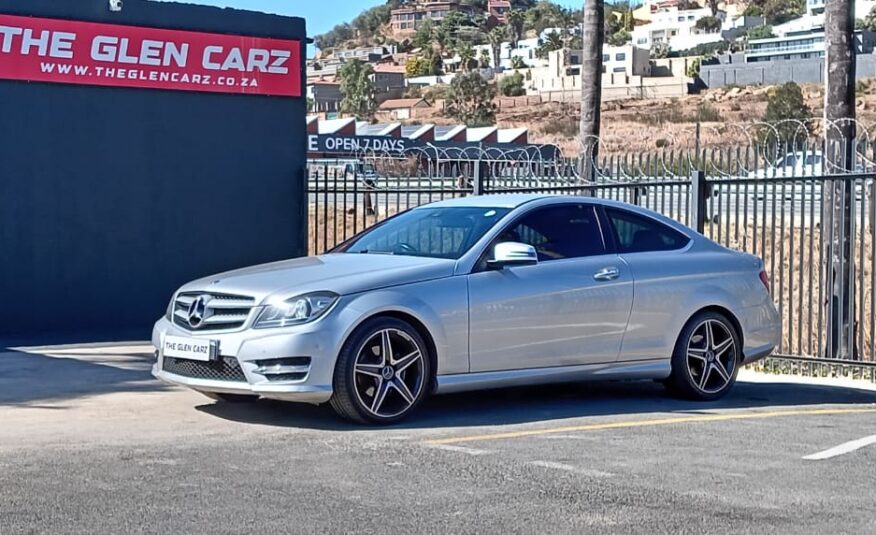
{"x":90,"y":443}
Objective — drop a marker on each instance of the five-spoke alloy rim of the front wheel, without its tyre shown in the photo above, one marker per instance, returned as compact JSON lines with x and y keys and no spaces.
{"x":388,"y":374}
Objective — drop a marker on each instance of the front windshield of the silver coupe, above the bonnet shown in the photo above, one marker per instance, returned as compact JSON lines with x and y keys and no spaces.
{"x":431,"y":232}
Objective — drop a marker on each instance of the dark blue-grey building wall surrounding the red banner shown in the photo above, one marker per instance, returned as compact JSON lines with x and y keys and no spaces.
{"x":110,"y":198}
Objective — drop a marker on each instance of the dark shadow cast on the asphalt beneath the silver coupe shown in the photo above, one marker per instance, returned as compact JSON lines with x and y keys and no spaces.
{"x":546,"y":403}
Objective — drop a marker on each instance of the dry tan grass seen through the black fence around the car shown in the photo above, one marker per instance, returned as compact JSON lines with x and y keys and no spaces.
{"x":791,"y":257}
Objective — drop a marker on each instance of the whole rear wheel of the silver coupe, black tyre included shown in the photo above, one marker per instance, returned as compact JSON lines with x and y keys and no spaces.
{"x":706,"y":359}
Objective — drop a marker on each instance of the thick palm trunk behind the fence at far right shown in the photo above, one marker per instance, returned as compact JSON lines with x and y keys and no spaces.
{"x":838,"y":195}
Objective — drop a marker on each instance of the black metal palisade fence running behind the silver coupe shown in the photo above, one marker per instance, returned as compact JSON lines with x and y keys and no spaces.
{"x":813,"y":223}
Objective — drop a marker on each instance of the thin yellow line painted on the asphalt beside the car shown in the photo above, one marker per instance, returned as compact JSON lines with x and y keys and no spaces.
{"x":648,"y":423}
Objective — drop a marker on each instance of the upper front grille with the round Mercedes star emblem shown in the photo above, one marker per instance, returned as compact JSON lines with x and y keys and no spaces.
{"x":217,"y":311}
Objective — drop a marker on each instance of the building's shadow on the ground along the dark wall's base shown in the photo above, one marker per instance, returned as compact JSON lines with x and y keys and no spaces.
{"x":35,"y":377}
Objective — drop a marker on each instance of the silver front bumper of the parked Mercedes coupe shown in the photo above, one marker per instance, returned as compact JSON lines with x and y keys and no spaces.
{"x":252,"y":349}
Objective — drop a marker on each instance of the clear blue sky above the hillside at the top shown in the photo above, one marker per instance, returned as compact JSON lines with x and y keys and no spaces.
{"x":321,"y":15}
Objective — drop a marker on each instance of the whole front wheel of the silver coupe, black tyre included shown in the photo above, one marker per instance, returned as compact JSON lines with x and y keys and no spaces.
{"x":382,"y":373}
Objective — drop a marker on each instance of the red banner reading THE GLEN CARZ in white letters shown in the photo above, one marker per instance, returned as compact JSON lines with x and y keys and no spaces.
{"x":72,"y":52}
